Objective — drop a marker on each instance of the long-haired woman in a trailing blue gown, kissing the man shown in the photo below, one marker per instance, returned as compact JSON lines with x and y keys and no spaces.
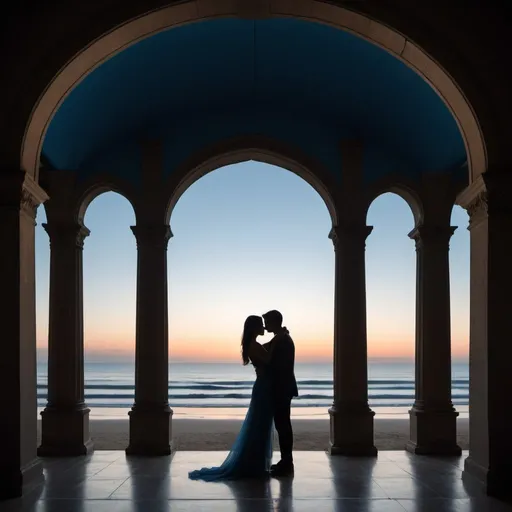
{"x":251,"y":453}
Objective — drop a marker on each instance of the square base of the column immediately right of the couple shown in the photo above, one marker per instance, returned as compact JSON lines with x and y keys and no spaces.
{"x":352,"y":431}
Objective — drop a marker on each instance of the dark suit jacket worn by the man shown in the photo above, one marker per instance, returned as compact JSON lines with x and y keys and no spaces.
{"x":281,"y":366}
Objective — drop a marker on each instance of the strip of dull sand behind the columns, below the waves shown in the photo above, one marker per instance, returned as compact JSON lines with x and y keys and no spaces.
{"x":219,"y":434}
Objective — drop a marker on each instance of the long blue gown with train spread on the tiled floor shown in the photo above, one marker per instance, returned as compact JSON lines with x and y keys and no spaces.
{"x":251,"y":453}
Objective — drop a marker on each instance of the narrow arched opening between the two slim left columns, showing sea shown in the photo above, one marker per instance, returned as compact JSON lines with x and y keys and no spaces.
{"x":109,"y":283}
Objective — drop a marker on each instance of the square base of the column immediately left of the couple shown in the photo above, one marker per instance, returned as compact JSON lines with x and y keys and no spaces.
{"x":150,"y":432}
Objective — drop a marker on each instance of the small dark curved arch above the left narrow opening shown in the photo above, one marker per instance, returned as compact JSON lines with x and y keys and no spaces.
{"x":89,"y":190}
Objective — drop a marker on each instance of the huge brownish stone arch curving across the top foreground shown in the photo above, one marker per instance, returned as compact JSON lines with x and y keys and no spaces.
{"x":189,"y":12}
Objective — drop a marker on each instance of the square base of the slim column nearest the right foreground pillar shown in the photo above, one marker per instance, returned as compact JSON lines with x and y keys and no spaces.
{"x":433,"y":432}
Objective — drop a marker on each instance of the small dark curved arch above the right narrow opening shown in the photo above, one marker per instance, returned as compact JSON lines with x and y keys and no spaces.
{"x":400,"y":186}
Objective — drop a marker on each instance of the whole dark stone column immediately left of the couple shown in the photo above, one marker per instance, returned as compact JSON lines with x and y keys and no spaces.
{"x":150,"y":417}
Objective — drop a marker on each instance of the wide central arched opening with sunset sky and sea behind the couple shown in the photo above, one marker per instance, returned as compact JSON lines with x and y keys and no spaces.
{"x":248,"y":237}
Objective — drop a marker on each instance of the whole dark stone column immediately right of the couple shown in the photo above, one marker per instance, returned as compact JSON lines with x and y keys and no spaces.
{"x":351,"y":417}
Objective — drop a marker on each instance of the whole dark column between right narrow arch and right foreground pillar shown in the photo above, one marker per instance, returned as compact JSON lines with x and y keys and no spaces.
{"x":433,"y":427}
